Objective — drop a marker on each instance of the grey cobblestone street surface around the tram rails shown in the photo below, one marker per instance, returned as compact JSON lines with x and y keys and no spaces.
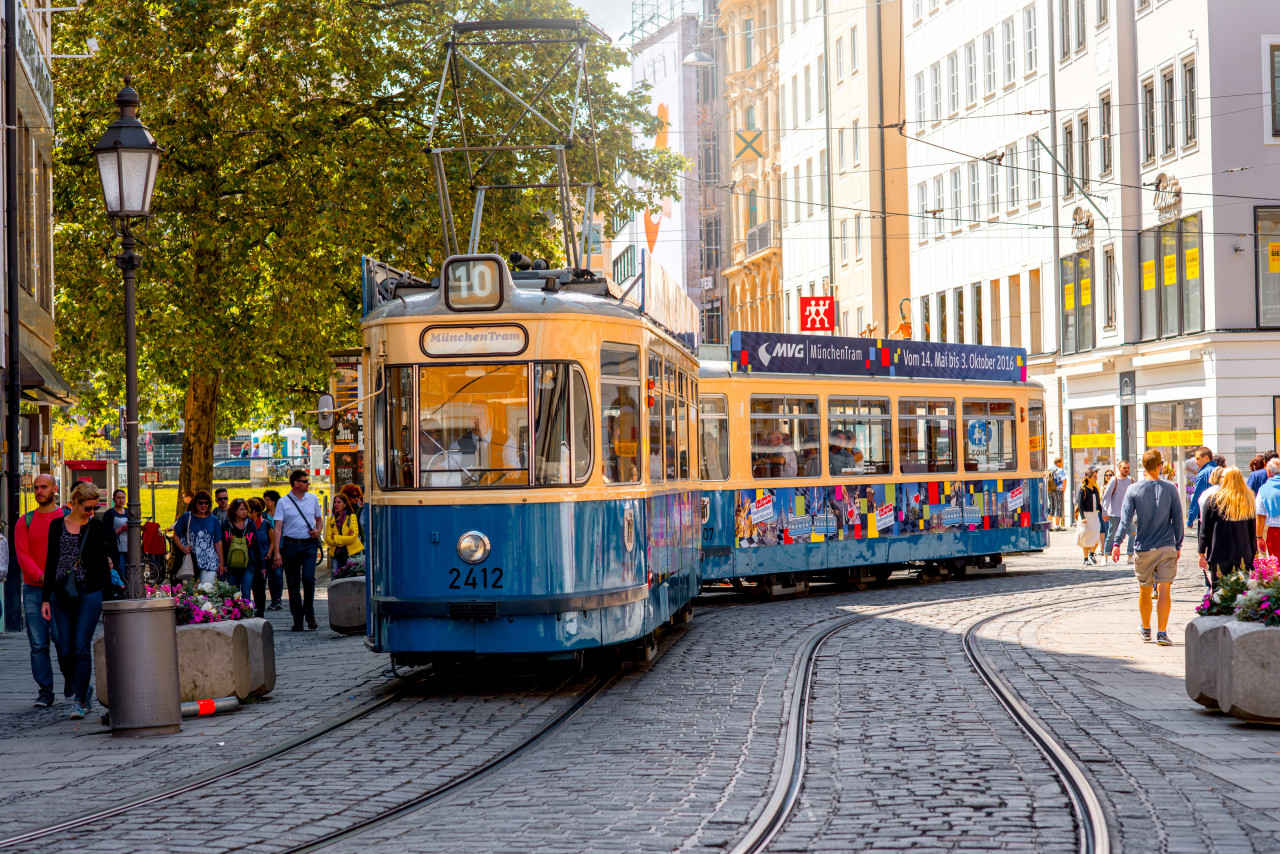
{"x":907,"y":747}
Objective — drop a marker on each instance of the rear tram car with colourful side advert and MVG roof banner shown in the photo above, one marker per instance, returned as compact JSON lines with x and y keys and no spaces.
{"x":848,"y":458}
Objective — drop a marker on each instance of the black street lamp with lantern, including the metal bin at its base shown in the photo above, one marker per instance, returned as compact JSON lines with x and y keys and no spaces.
{"x":141,"y":643}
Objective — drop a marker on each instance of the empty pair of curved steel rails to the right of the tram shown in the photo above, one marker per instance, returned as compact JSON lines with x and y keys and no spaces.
{"x":1087,"y":807}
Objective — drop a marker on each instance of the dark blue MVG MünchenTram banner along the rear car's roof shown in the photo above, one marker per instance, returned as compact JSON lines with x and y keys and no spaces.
{"x":790,"y":354}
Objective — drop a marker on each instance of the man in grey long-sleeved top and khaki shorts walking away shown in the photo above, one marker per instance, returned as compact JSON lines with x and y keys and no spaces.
{"x":1153,"y":518}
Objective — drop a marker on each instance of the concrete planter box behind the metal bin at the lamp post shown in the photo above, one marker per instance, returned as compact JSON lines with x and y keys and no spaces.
{"x":232,"y":659}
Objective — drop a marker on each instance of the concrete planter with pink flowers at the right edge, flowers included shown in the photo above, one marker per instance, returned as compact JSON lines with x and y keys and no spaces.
{"x":1232,"y":654}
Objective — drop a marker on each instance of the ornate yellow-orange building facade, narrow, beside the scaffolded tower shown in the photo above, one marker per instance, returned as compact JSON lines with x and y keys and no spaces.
{"x":753,"y":271}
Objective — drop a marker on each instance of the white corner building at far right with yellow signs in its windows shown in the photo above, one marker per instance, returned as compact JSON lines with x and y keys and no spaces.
{"x":1174,"y":293}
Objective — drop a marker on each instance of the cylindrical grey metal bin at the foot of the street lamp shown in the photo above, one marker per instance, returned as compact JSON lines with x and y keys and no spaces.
{"x":143,"y":668}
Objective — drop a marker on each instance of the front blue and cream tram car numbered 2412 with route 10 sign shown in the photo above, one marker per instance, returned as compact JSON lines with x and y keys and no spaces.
{"x":533,"y":487}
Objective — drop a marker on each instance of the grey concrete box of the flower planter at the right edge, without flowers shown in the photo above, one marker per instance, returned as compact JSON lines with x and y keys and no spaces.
{"x":1237,"y":666}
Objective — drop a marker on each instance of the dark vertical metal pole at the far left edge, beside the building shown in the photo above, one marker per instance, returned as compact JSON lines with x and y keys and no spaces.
{"x":13,"y":462}
